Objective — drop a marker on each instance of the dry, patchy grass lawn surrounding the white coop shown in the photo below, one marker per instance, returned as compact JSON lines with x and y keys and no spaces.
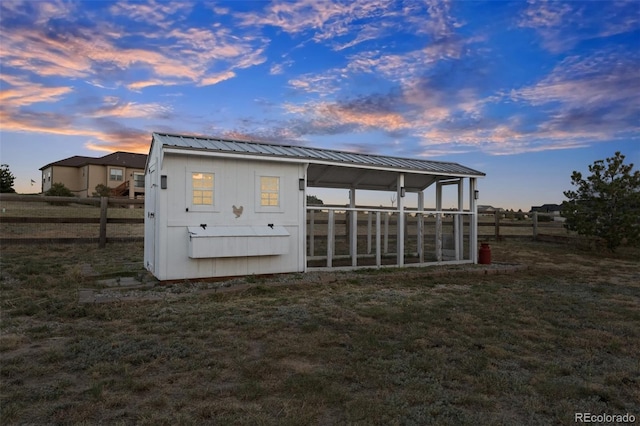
{"x":368,"y":347}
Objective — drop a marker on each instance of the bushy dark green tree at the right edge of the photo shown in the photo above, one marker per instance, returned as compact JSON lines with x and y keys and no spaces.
{"x":607,"y":203}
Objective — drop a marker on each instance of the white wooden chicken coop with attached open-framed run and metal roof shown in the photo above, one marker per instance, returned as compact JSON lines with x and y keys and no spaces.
{"x":216,"y":208}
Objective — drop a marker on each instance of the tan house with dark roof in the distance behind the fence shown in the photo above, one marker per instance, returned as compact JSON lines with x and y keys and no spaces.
{"x":123,"y":172}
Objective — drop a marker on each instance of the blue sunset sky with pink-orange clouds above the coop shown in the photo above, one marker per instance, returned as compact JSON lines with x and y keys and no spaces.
{"x":526,"y":92}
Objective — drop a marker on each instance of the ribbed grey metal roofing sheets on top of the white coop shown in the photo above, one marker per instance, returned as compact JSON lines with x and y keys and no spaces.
{"x":310,"y":154}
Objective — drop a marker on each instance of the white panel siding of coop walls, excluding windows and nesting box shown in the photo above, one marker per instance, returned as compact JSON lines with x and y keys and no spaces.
{"x":235,"y":189}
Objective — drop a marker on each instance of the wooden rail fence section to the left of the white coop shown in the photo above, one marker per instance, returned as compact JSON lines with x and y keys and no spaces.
{"x":104,"y":203}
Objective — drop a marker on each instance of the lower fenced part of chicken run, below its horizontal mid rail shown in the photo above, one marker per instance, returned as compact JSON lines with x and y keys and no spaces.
{"x":428,"y":237}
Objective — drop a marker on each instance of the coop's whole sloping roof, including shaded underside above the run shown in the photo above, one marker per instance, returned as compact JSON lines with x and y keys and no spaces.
{"x":328,"y":168}
